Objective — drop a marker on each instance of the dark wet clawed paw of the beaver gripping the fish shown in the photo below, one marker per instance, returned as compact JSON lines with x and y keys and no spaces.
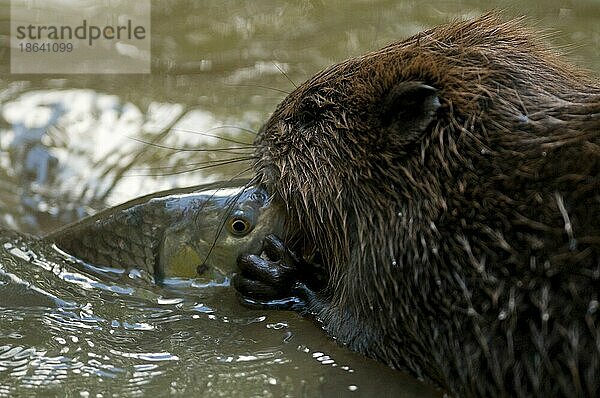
{"x":267,"y":278}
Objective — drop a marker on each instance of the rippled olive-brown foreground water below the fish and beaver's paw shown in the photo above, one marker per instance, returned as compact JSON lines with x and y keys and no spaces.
{"x":69,"y":328}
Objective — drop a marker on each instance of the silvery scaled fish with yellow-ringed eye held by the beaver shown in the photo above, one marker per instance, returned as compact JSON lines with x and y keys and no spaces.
{"x":197,"y":231}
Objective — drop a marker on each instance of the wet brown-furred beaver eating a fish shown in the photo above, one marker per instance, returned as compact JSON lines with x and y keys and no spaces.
{"x":447,"y":186}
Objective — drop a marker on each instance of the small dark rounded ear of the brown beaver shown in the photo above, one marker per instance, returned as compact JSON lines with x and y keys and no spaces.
{"x":409,"y":108}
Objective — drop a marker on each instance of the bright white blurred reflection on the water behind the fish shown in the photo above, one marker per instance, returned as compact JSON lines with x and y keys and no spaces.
{"x":76,"y":151}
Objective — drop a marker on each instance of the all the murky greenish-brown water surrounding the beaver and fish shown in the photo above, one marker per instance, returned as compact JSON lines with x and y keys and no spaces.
{"x":72,"y":145}
